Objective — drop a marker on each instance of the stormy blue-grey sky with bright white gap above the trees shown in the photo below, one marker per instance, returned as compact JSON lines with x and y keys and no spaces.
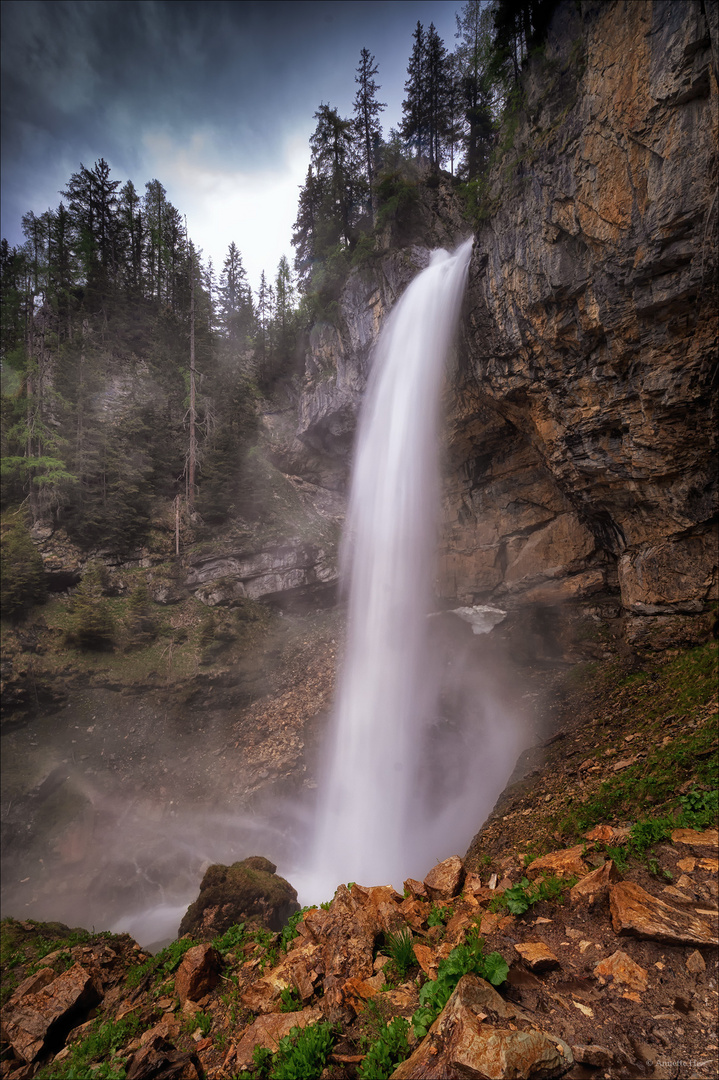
{"x":216,"y":100}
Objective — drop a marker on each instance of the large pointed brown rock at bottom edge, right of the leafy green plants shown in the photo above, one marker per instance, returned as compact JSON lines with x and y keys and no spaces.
{"x":480,"y":1035}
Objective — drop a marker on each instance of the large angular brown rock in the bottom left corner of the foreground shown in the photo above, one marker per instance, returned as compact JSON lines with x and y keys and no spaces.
{"x":47,"y":1016}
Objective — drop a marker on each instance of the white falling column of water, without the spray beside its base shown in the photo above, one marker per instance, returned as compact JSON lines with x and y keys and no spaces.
{"x":370,"y":819}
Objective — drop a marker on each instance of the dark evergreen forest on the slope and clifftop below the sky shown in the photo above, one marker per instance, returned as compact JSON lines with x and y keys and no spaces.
{"x":134,"y":371}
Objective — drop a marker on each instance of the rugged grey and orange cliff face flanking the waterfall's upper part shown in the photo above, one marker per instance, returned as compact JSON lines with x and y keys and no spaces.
{"x":581,"y":436}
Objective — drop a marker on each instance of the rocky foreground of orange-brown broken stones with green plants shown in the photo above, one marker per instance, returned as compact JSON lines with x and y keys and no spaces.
{"x":604,"y":975}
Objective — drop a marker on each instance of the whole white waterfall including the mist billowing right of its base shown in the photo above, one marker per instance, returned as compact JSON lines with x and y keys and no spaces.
{"x":402,"y":781}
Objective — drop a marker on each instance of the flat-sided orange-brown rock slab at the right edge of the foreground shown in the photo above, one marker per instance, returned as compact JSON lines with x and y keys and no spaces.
{"x":641,"y":915}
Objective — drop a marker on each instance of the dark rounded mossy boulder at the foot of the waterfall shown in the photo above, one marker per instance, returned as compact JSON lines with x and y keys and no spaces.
{"x":249,"y":890}
